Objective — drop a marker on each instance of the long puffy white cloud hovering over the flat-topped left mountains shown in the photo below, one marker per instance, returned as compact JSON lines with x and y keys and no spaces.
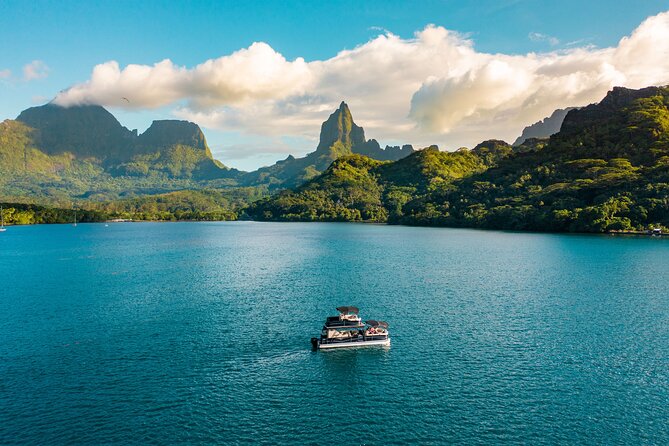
{"x":256,"y":73}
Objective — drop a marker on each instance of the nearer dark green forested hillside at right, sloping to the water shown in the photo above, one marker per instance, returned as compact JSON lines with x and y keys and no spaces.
{"x":607,"y":169}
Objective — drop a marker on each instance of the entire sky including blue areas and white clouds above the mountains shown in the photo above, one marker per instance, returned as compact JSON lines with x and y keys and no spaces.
{"x":261,"y":76}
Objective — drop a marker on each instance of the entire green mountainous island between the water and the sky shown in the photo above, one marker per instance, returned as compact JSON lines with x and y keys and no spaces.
{"x":607,"y":169}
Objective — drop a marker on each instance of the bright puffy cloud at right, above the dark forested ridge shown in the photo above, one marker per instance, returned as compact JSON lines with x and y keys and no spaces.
{"x":502,"y":93}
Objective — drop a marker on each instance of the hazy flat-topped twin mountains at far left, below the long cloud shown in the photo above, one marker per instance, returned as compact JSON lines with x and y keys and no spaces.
{"x":55,"y":155}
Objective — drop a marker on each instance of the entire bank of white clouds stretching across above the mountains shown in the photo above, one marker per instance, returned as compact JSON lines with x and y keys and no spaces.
{"x":431,"y":88}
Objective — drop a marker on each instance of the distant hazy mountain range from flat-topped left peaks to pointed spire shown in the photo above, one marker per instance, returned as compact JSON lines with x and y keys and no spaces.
{"x":56,"y":155}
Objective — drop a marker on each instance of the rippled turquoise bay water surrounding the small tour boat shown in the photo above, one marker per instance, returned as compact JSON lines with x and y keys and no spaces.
{"x":199,"y":332}
